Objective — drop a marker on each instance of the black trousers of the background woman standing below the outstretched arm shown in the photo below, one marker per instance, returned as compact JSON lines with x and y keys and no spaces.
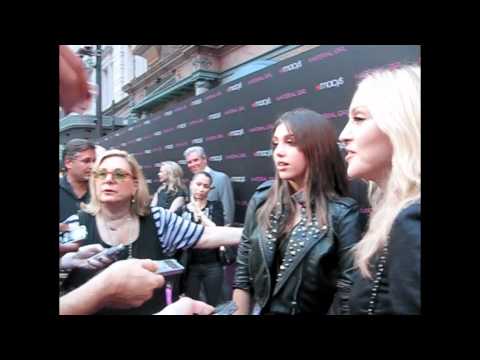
{"x":211,"y":276}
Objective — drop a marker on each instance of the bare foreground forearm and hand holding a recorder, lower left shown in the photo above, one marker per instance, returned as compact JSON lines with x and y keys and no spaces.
{"x":124,"y":284}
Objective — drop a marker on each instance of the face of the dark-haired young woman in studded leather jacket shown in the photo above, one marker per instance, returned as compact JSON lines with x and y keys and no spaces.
{"x":290,"y":162}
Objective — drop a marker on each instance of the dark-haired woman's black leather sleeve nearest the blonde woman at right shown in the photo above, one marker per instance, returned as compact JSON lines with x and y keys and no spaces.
{"x":347,"y":232}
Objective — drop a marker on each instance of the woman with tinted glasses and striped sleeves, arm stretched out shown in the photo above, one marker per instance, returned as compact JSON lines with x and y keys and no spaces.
{"x":119,"y":213}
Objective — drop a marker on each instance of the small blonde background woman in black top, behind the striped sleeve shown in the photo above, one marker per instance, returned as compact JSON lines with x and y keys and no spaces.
{"x":171,"y":193}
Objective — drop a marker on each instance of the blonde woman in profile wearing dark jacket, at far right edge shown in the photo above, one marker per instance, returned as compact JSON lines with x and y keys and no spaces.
{"x":382,"y":139}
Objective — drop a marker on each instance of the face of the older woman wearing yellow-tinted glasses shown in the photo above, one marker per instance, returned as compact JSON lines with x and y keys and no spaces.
{"x":114,"y":181}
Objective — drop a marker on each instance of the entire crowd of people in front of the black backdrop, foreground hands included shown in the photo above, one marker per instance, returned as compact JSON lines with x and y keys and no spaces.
{"x":303,"y":247}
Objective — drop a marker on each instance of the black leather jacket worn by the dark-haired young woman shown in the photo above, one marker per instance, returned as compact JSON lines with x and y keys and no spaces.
{"x":319,"y":279}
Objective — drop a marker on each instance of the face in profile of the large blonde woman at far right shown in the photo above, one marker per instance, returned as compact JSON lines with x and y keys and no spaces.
{"x":369,"y":150}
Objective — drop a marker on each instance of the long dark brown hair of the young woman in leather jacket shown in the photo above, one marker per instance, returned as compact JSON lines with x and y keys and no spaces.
{"x":326,"y":175}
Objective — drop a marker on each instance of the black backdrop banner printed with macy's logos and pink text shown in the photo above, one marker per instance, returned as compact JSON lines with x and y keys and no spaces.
{"x":233,"y":122}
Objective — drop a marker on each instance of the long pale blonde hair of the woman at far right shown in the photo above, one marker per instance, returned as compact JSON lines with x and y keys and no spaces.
{"x":394,"y":104}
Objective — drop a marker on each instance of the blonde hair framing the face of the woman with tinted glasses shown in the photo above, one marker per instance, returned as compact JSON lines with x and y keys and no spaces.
{"x":141,"y":199}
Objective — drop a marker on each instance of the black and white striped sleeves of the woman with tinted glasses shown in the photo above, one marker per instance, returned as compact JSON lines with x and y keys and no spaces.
{"x":173,"y":232}
